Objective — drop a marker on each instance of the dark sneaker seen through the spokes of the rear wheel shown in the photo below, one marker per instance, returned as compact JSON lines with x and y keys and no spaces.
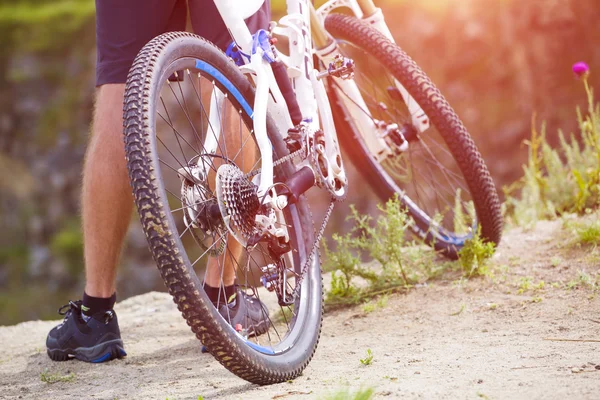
{"x":246,"y":314}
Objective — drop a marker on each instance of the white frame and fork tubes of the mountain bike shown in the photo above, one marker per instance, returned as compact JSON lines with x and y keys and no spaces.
{"x":310,"y":91}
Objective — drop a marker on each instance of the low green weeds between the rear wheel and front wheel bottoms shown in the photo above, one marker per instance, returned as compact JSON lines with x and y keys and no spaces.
{"x":396,"y":262}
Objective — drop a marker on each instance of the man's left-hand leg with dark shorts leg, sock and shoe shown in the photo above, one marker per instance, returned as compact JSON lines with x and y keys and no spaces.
{"x":90,"y":330}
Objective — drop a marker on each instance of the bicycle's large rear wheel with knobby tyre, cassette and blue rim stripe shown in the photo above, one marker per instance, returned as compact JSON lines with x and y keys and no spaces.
{"x":193,"y":162}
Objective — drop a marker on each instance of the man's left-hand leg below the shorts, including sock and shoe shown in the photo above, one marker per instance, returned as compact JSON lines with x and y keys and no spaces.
{"x":90,"y":331}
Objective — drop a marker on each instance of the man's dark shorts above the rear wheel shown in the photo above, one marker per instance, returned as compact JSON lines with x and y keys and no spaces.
{"x":123,"y":27}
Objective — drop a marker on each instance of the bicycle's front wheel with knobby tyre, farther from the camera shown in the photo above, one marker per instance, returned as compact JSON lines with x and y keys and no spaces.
{"x":437,"y":172}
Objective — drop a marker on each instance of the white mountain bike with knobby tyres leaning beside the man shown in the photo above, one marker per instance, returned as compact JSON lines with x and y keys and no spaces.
{"x":221,"y":187}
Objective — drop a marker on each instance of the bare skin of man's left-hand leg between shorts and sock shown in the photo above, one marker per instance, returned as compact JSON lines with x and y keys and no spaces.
{"x":106,"y":198}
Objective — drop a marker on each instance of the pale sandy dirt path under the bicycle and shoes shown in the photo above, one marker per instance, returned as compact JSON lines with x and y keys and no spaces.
{"x":448,"y":340}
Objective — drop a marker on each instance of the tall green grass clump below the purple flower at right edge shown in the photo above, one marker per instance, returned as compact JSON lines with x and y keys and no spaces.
{"x":562,"y":180}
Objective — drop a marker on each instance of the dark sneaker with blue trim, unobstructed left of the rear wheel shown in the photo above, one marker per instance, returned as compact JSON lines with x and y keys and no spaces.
{"x":93,"y":339}
